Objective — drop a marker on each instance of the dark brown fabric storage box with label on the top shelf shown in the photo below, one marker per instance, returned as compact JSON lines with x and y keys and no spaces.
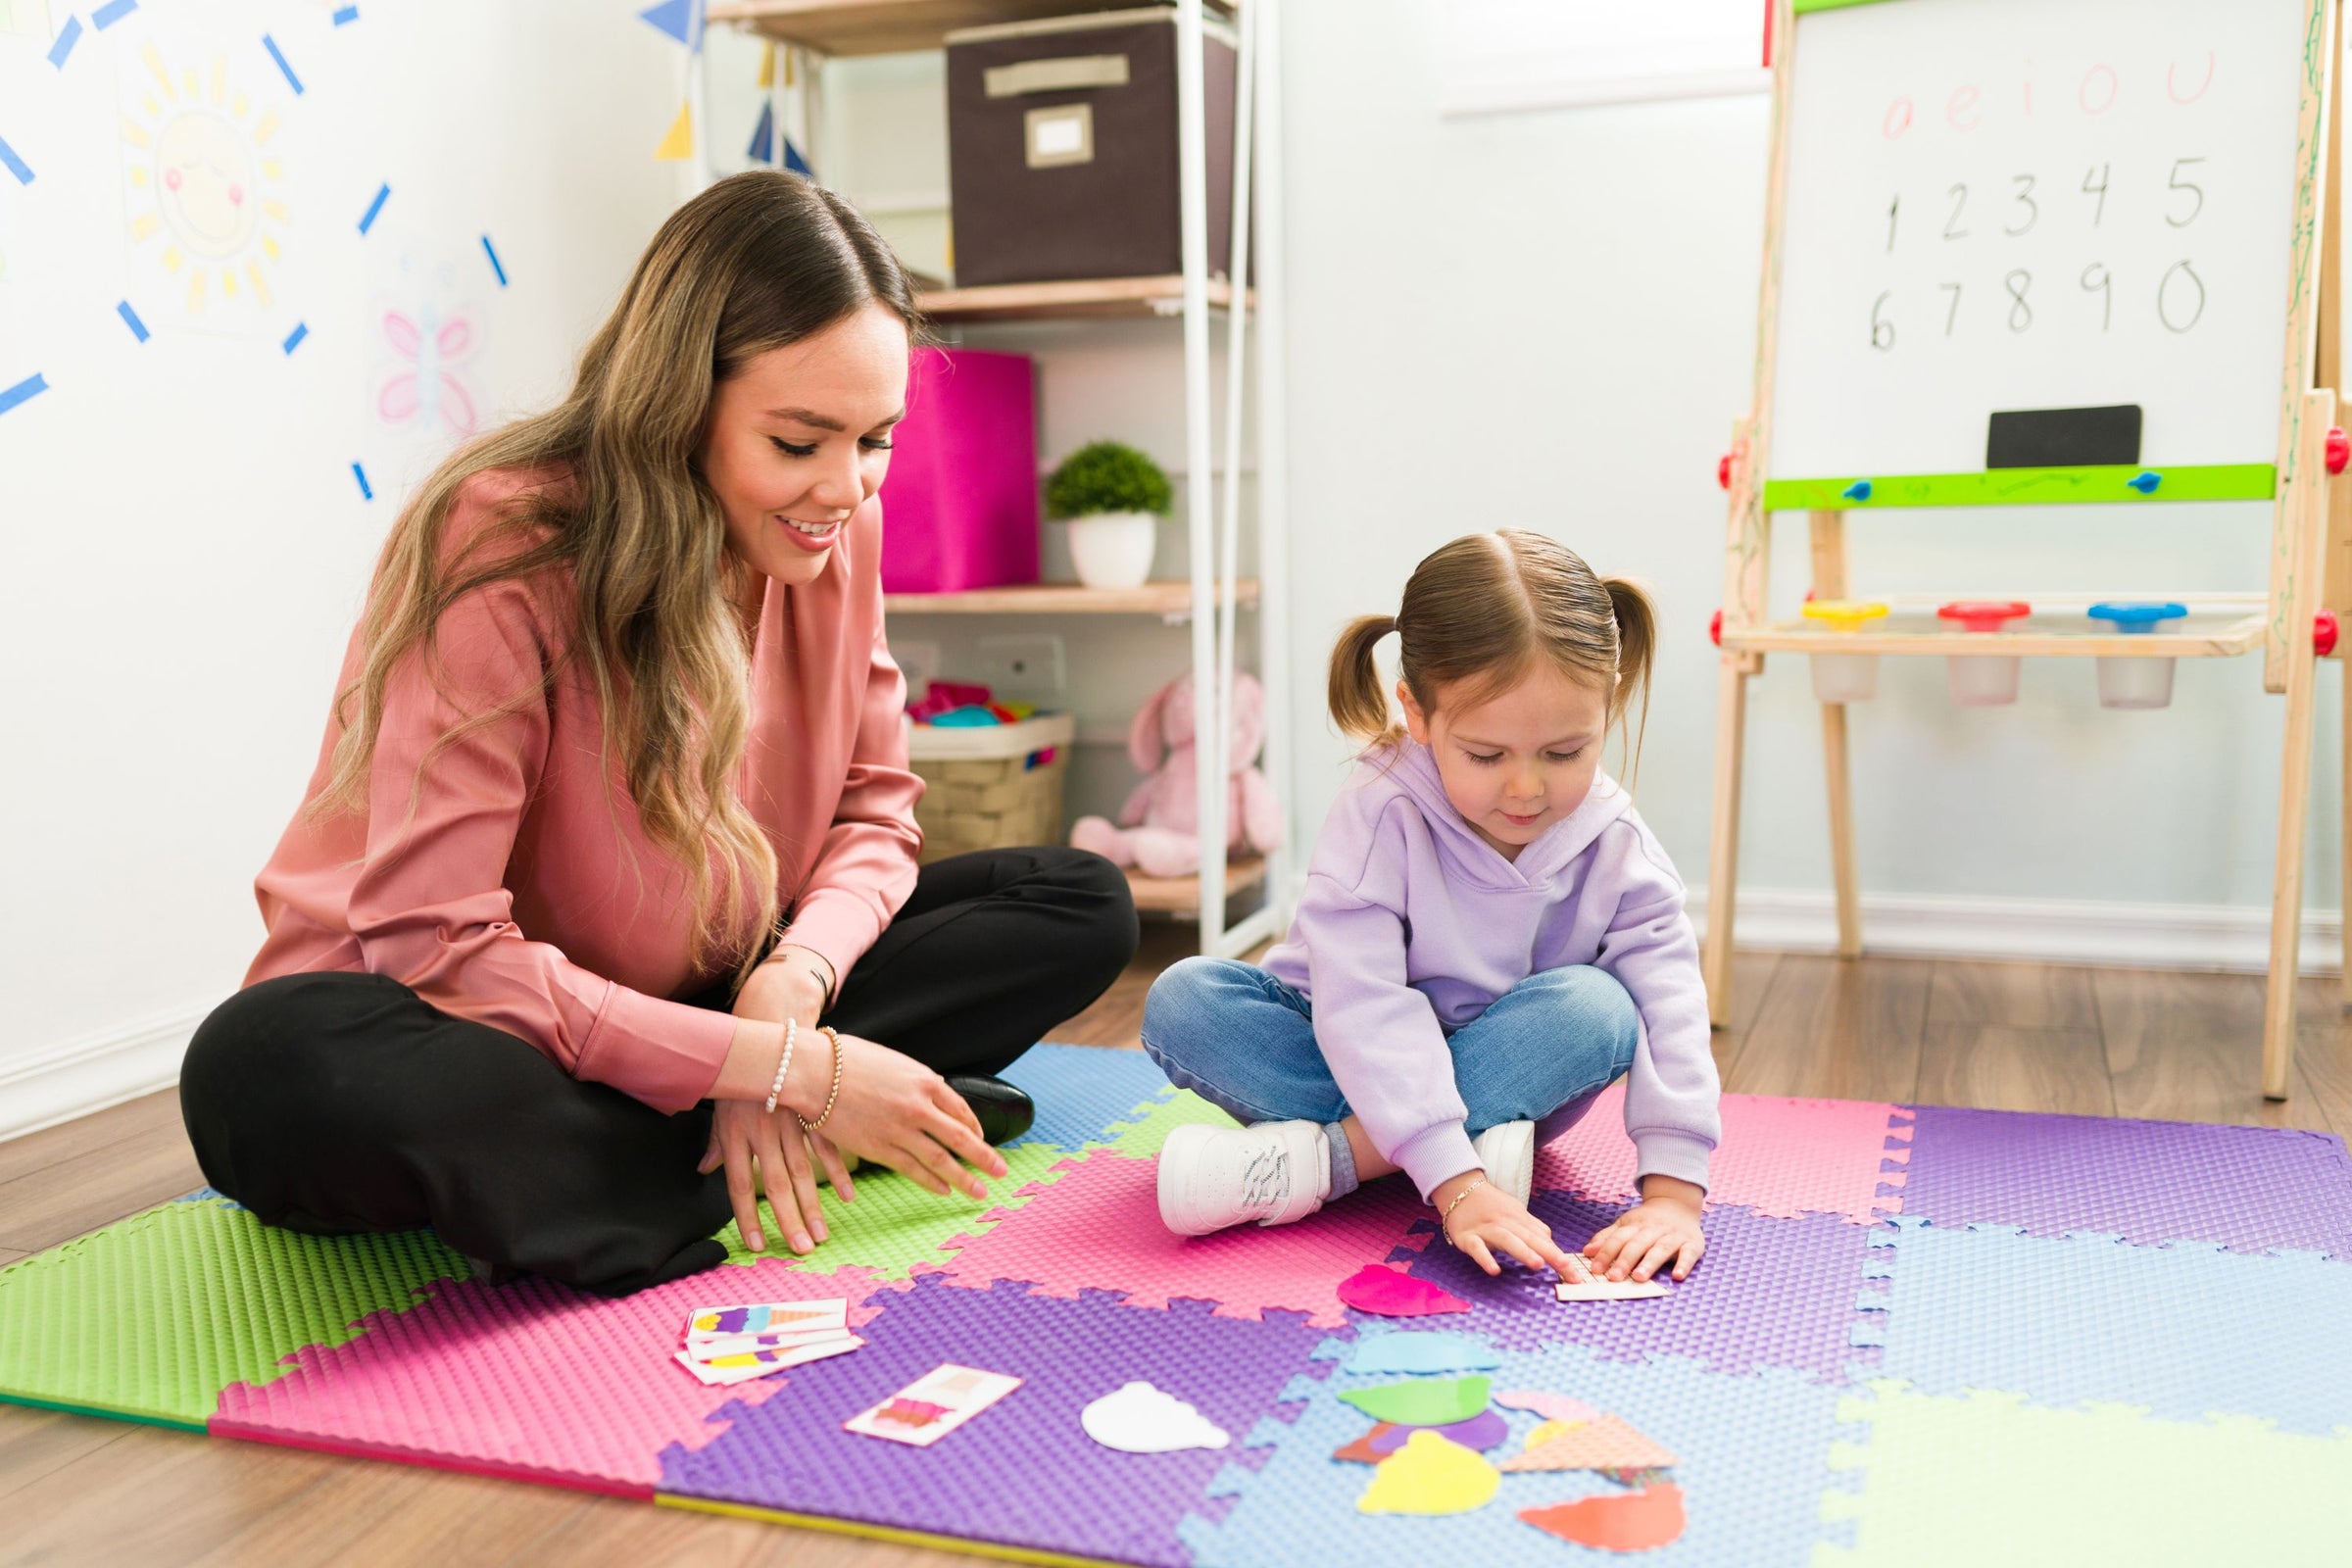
{"x":1062,"y":149}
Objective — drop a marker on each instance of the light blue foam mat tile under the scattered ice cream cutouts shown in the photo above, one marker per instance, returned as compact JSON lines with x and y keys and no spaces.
{"x":1753,"y":1461}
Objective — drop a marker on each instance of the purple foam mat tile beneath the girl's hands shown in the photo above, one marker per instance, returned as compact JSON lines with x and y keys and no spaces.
{"x":1768,"y":1294}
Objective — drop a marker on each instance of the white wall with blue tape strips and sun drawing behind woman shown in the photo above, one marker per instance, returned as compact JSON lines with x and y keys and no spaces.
{"x":182,"y":540}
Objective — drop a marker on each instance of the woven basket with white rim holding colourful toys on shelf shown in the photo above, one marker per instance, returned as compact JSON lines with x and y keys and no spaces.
{"x":991,"y":789}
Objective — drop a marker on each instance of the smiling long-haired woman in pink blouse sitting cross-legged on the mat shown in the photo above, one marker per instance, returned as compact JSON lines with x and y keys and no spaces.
{"x":620,"y":728}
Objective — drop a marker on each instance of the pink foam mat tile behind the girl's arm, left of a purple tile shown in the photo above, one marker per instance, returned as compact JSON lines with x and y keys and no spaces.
{"x":1779,"y":1158}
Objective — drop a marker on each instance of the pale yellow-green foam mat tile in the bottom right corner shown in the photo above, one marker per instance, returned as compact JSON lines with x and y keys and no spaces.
{"x":1991,"y":1480}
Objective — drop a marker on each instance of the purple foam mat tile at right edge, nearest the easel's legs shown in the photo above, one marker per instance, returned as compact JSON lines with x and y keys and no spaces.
{"x":2247,"y":1188}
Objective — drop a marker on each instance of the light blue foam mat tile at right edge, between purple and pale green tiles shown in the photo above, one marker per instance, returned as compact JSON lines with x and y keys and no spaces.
{"x":2186,"y":1332}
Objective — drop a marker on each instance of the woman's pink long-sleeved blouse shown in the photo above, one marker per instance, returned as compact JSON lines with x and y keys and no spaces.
{"x":512,"y":880}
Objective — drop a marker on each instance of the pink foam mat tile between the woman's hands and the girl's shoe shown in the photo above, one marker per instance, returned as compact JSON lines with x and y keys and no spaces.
{"x":1100,"y":1231}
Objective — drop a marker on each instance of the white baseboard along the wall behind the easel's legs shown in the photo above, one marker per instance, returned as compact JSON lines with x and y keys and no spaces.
{"x":2036,"y":930}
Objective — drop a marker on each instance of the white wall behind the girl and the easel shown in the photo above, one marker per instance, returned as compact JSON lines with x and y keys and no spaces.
{"x":1549,"y":321}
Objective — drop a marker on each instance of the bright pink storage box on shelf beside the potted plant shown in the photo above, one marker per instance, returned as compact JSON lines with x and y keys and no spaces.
{"x":961,"y":500}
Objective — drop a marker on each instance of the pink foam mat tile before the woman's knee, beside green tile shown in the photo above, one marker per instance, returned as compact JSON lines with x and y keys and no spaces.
{"x":526,"y":1381}
